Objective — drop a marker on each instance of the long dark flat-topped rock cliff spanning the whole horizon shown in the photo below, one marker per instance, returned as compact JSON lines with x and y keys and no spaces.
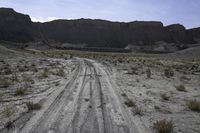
{"x":92,"y":33}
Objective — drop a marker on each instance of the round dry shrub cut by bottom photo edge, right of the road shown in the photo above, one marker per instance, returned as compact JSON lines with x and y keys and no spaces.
{"x":163,"y":126}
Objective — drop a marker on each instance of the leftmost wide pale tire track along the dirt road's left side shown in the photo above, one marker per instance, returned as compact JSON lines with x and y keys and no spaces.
{"x":43,"y":124}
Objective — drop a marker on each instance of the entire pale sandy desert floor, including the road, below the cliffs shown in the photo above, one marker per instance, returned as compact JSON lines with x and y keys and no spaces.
{"x":81,"y":95}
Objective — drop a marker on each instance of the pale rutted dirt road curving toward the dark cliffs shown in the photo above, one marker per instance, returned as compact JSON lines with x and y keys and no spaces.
{"x":89,"y":103}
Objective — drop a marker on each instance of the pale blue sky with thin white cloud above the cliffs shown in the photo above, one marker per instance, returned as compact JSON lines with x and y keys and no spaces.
{"x":186,"y":12}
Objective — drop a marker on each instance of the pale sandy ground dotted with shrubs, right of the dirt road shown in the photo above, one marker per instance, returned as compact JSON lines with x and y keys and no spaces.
{"x":147,"y":92}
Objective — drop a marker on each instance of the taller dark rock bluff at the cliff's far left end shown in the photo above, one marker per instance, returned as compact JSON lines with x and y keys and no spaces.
{"x":15,"y":26}
